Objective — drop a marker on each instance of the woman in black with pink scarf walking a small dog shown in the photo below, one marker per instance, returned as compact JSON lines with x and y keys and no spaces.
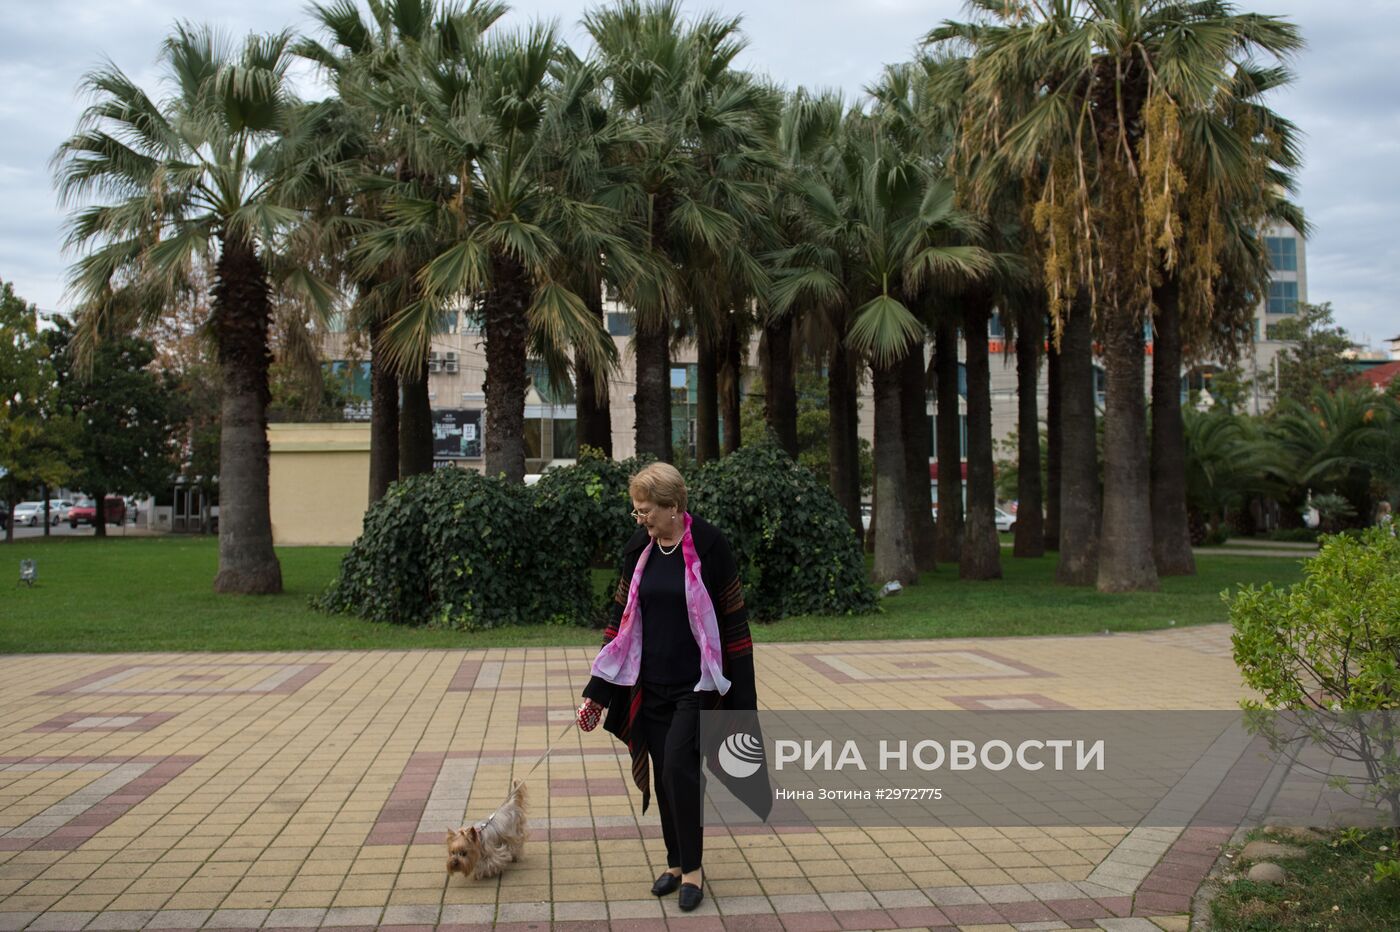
{"x":678,"y":644}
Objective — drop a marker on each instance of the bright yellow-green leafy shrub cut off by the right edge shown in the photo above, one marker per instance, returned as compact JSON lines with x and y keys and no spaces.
{"x":1332,"y":644}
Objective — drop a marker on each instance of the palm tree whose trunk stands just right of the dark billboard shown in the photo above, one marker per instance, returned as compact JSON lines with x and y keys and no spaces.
{"x":478,"y":199}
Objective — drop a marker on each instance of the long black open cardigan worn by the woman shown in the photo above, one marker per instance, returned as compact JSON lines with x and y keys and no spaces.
{"x":722,"y":580}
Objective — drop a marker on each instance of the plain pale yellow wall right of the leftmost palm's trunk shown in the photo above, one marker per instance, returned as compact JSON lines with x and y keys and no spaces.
{"x":320,"y":482}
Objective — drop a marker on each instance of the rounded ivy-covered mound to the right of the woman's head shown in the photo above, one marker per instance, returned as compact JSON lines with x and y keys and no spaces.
{"x":794,"y":548}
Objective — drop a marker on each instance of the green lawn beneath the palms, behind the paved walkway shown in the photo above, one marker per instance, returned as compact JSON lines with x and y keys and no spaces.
{"x":153,"y":594}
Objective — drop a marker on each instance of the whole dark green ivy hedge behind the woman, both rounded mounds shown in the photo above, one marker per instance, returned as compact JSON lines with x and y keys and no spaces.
{"x":454,"y":549}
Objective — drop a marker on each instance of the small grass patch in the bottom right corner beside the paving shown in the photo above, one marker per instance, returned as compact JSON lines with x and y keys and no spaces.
{"x":1331,"y":888}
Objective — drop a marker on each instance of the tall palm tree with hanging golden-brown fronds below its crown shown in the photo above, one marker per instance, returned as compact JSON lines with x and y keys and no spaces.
{"x":1097,"y":89}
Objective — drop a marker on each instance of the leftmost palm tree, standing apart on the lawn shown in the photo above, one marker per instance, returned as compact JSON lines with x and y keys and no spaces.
{"x":198,"y":177}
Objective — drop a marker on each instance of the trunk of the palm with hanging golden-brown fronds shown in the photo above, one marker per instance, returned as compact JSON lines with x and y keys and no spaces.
{"x":1126,"y":555}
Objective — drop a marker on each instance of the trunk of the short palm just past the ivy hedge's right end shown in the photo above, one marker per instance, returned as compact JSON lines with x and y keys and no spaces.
{"x":894,"y":549}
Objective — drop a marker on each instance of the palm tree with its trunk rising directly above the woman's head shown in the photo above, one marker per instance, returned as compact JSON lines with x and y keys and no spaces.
{"x":706,"y":142}
